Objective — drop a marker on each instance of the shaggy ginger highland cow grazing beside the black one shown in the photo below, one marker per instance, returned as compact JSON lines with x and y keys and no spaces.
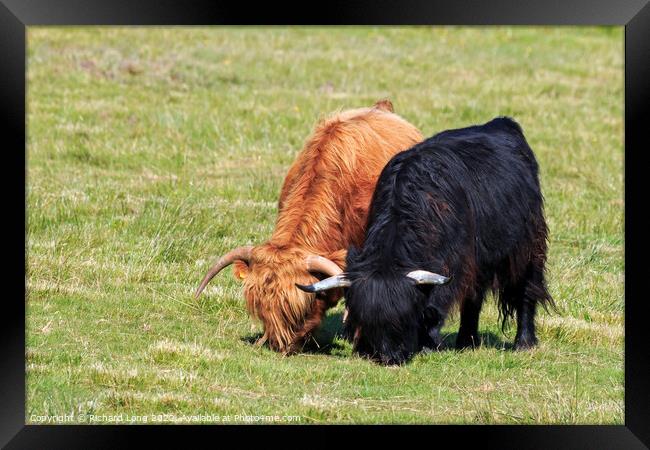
{"x":323,"y":209}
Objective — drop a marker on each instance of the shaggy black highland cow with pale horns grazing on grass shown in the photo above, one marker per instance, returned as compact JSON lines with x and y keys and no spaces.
{"x":454,"y":216}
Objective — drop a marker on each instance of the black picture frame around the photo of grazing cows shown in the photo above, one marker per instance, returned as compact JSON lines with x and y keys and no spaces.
{"x":16,"y":15}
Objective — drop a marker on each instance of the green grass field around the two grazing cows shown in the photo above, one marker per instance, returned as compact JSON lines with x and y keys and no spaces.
{"x":151,"y":151}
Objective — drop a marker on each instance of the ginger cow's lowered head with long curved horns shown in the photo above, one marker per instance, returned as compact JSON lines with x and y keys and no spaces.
{"x":269,"y":274}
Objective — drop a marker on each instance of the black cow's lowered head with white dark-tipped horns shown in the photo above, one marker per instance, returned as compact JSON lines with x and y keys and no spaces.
{"x":385,"y":309}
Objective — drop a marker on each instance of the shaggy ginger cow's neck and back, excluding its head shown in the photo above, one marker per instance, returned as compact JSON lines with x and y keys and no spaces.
{"x":325,"y":197}
